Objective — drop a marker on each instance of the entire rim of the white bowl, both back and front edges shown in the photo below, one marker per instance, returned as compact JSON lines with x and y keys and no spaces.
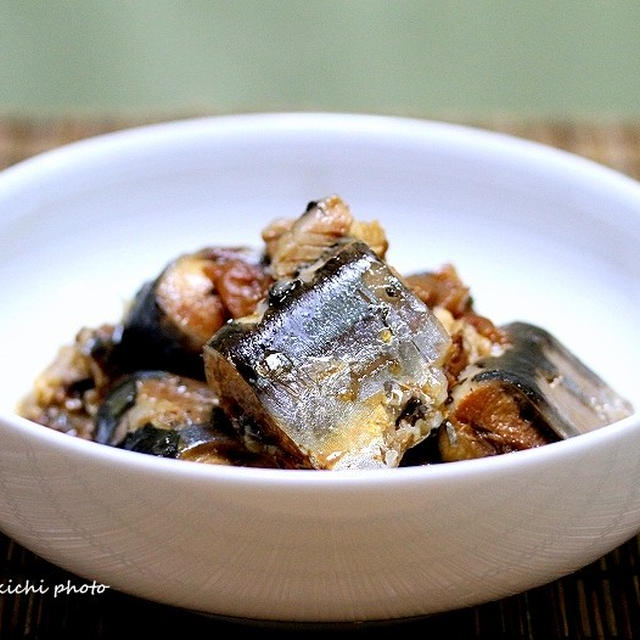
{"x":114,"y":143}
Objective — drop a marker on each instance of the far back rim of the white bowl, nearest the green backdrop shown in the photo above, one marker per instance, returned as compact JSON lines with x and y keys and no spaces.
{"x":78,"y":152}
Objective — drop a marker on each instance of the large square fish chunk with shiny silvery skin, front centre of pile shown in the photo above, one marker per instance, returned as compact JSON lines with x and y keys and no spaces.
{"x":344,"y":367}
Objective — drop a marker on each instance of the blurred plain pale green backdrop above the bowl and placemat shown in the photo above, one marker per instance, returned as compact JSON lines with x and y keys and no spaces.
{"x":454,"y":59}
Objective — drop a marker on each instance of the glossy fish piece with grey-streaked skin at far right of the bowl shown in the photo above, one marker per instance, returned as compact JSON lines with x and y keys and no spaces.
{"x":536,"y":392}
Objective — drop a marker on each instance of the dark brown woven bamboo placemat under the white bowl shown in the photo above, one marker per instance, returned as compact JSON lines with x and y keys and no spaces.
{"x":601,"y":600}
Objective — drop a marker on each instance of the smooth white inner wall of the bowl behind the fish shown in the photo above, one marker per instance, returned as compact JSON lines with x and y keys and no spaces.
{"x":537,"y":234}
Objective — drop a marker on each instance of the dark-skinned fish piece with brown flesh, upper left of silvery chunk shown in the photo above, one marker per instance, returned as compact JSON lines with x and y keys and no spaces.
{"x":172,"y":316}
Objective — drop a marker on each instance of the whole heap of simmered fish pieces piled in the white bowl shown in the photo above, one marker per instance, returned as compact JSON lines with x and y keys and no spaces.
{"x":314,"y":352}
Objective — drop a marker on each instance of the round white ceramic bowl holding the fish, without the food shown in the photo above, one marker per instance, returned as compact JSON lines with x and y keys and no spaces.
{"x":538,"y":234}
